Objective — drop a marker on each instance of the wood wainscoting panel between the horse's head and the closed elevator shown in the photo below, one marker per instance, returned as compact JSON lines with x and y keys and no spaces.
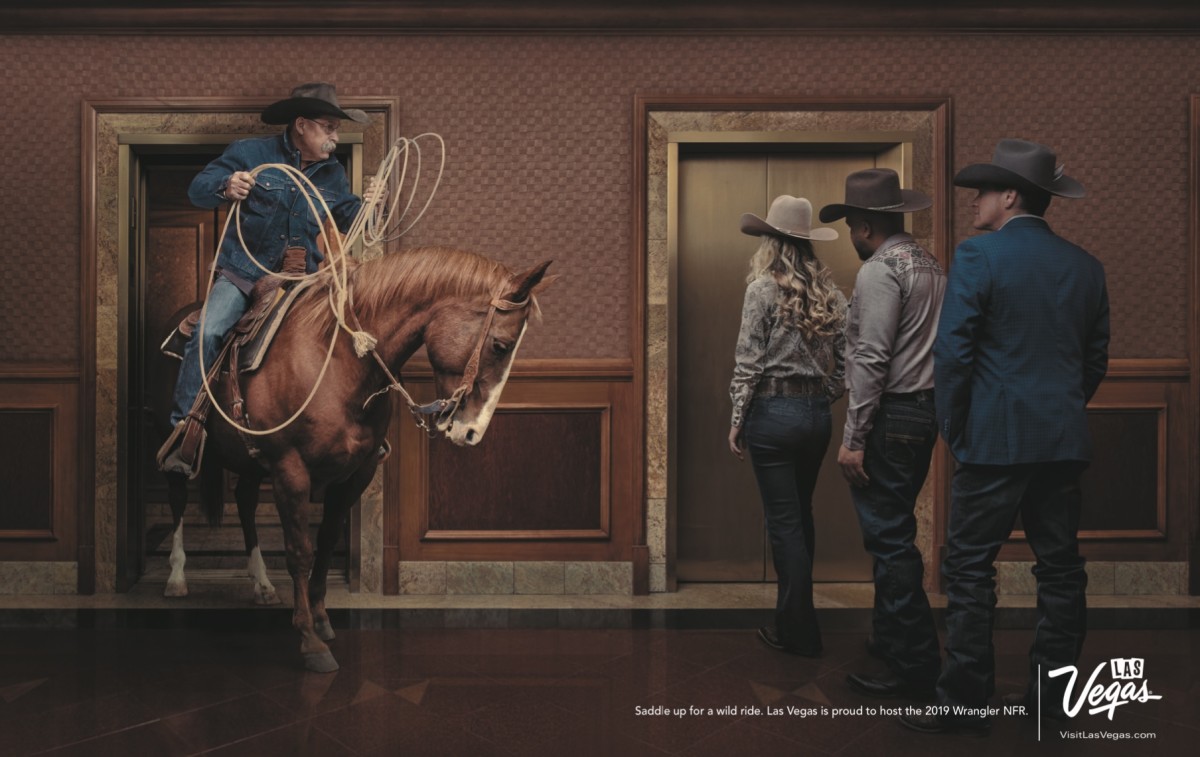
{"x":556,"y":478}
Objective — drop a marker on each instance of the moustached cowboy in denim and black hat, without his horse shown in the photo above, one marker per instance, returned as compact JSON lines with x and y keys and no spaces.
{"x":275,"y":223}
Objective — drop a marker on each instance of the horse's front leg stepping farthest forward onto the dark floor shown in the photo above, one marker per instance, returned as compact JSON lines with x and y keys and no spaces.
{"x":292,"y":491}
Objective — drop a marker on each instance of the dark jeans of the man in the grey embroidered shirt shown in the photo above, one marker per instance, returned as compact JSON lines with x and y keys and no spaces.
{"x":897,"y":455}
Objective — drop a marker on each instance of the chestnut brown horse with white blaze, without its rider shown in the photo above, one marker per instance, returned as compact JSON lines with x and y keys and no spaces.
{"x":470,"y":313}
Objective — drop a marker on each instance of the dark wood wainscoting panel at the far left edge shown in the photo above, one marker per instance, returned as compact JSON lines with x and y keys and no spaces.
{"x":39,"y":488}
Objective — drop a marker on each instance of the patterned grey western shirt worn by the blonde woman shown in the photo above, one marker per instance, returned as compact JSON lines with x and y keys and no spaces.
{"x":769,"y":347}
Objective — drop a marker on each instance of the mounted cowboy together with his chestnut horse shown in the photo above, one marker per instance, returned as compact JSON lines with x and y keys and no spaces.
{"x":467,"y":311}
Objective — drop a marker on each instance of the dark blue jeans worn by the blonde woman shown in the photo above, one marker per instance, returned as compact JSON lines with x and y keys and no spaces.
{"x":788,"y":438}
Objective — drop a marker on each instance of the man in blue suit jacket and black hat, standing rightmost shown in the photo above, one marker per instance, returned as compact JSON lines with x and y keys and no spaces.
{"x":1022,"y":347}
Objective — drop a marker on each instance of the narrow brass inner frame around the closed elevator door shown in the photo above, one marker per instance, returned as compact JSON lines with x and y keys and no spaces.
{"x":897,"y":143}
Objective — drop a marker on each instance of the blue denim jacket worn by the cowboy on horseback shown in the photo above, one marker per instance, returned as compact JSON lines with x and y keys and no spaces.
{"x":275,"y":217}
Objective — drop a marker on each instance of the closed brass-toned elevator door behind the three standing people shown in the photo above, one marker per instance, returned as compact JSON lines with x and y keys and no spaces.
{"x":722,"y":534}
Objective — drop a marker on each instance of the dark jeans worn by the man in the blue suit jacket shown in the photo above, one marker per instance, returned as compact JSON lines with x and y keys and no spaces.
{"x":986,"y":503}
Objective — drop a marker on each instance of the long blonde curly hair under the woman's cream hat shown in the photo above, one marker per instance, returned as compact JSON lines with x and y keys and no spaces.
{"x":809,"y":299}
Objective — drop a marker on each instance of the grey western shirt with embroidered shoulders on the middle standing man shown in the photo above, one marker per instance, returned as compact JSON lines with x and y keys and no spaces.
{"x":891,"y":331}
